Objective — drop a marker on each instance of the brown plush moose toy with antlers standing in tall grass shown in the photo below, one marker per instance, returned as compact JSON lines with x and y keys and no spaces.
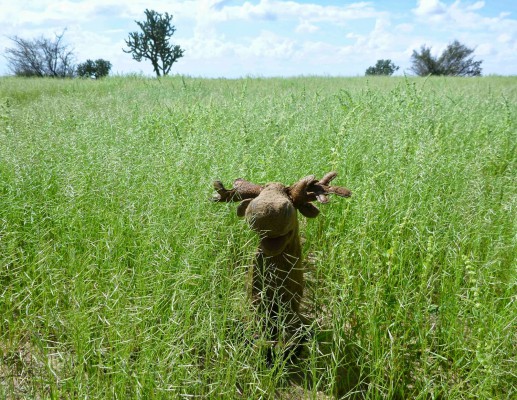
{"x":271,"y":211}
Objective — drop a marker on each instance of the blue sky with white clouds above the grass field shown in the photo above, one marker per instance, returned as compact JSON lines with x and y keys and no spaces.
{"x":234,"y":38}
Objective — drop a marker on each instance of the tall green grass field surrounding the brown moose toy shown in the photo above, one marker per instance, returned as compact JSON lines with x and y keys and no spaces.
{"x":120,"y":279}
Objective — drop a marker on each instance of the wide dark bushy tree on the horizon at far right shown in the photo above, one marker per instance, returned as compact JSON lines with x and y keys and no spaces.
{"x":454,"y":61}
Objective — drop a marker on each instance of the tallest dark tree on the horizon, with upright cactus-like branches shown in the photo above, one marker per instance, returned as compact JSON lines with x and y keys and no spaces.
{"x":153,"y":42}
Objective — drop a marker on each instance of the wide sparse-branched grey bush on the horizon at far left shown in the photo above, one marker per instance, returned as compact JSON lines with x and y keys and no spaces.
{"x":40,"y":57}
